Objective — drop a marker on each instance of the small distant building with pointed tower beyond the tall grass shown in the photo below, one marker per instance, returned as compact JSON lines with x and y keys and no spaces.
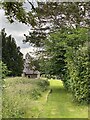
{"x":29,"y":70}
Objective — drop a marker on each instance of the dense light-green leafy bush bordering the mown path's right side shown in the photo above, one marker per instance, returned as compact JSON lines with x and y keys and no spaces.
{"x":77,"y":79}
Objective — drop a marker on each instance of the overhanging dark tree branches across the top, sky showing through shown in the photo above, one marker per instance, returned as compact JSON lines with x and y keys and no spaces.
{"x":54,"y":16}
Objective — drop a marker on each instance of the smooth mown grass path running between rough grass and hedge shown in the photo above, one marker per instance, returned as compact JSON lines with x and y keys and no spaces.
{"x":60,"y":104}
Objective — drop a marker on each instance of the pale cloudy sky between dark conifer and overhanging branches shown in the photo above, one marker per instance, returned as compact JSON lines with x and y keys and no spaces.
{"x":17,"y":30}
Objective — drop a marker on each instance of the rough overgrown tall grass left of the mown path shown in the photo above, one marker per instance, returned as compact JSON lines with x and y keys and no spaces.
{"x":23,"y":97}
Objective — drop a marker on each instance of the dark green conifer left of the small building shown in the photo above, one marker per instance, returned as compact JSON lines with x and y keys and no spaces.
{"x":11,"y":54}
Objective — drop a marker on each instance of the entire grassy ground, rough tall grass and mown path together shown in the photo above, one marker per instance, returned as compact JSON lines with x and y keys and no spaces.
{"x":26,"y":98}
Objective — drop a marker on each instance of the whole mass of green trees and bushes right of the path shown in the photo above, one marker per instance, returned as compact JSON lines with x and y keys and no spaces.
{"x":68,"y":58}
